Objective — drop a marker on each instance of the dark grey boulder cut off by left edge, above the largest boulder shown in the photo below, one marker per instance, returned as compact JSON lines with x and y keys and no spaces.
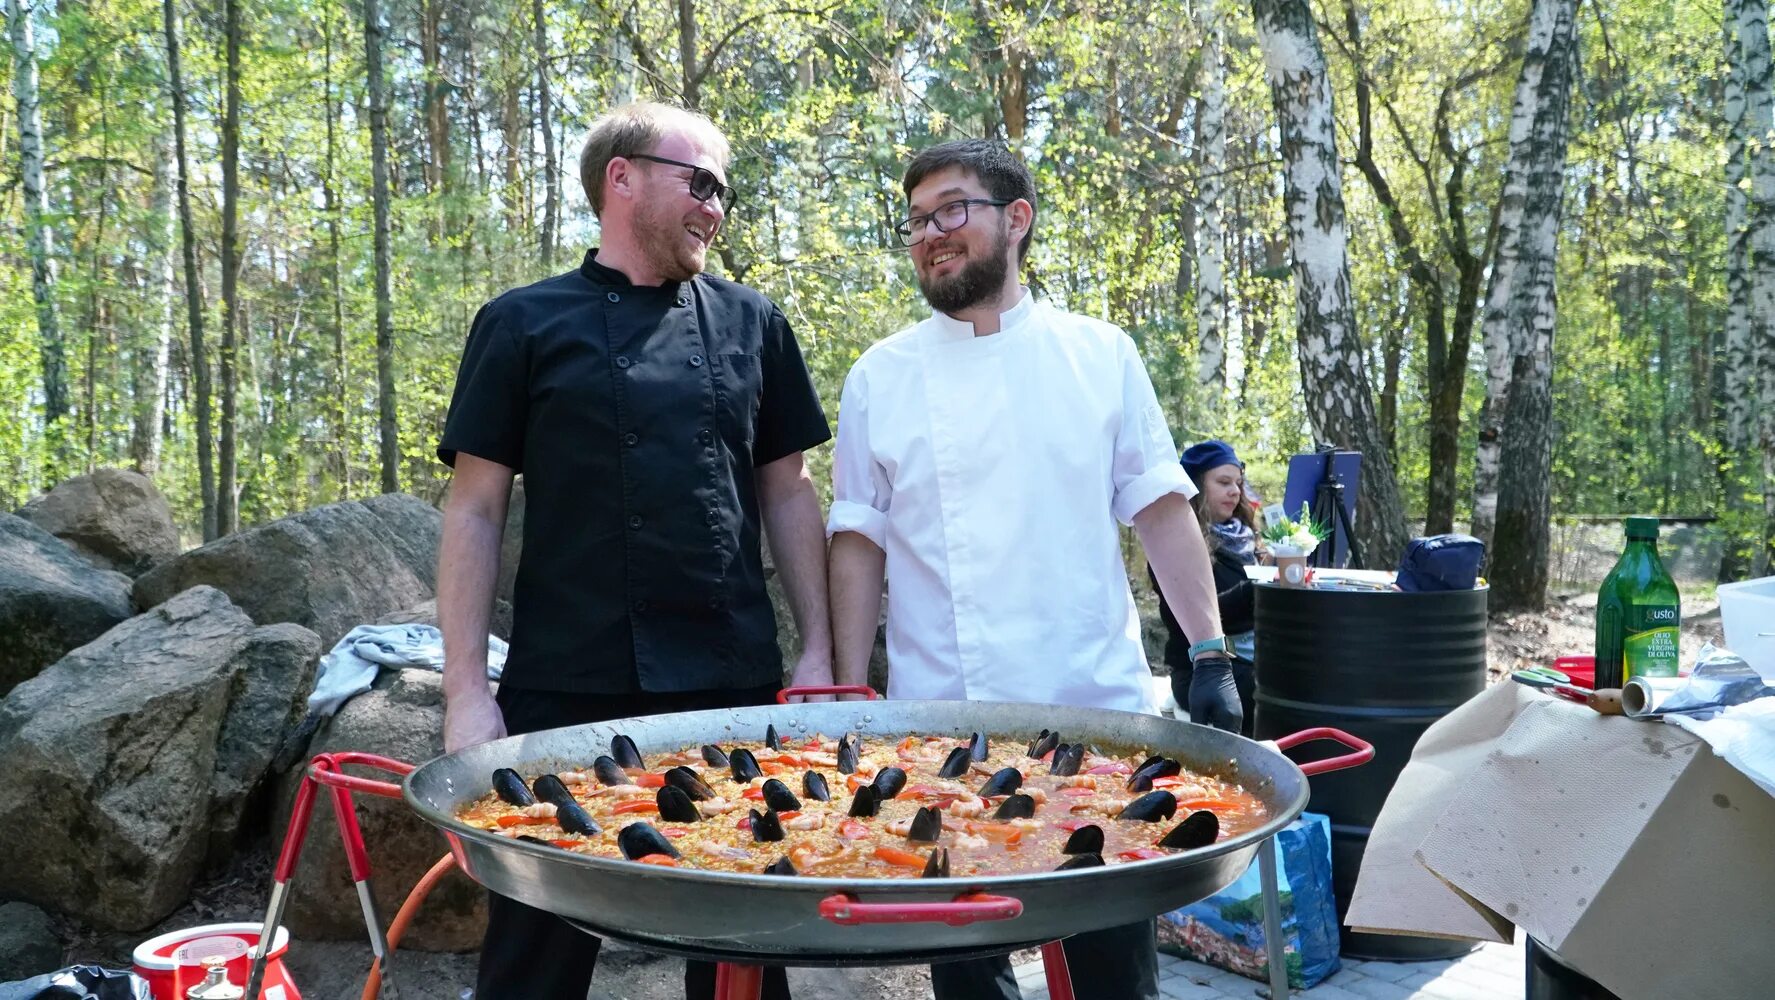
{"x":51,"y":599}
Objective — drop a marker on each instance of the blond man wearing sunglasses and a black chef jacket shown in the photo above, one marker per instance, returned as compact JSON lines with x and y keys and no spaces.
{"x":659,"y":420}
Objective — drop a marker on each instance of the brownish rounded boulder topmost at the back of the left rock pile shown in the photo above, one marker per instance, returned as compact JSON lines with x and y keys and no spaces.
{"x":114,"y":518}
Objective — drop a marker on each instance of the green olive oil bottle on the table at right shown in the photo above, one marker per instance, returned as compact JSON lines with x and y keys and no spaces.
{"x":1637,"y":614}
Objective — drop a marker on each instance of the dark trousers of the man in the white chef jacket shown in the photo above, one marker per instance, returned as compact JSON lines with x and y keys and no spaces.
{"x":1116,"y":964}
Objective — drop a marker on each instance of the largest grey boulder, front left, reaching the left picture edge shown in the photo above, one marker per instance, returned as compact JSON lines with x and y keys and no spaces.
{"x":111,"y":758}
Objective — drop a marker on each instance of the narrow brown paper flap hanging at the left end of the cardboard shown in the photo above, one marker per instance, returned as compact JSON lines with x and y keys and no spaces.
{"x":1396,"y":894}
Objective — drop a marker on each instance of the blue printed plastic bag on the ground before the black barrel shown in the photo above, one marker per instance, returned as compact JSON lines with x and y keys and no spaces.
{"x":1227,"y":928}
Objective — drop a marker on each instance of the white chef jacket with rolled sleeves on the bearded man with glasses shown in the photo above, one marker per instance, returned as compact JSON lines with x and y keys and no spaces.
{"x":993,"y":473}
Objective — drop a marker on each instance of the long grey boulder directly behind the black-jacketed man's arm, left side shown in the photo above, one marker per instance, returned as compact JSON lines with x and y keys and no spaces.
{"x":324,"y":569}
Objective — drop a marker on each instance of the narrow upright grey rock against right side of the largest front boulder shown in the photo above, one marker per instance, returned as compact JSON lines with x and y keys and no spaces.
{"x":272,"y":687}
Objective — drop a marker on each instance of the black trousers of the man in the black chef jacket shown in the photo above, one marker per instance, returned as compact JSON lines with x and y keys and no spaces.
{"x":533,"y":955}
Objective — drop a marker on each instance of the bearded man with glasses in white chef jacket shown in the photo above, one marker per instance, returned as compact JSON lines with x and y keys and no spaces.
{"x":984,"y":459}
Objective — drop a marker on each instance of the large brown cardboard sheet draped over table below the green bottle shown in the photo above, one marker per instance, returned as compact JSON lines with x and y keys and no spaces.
{"x":1627,"y":846}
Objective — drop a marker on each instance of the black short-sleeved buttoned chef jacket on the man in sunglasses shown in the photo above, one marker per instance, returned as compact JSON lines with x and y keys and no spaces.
{"x":638,"y":417}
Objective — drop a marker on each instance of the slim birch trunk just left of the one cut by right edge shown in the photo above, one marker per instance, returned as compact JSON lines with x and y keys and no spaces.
{"x":1739,"y":376}
